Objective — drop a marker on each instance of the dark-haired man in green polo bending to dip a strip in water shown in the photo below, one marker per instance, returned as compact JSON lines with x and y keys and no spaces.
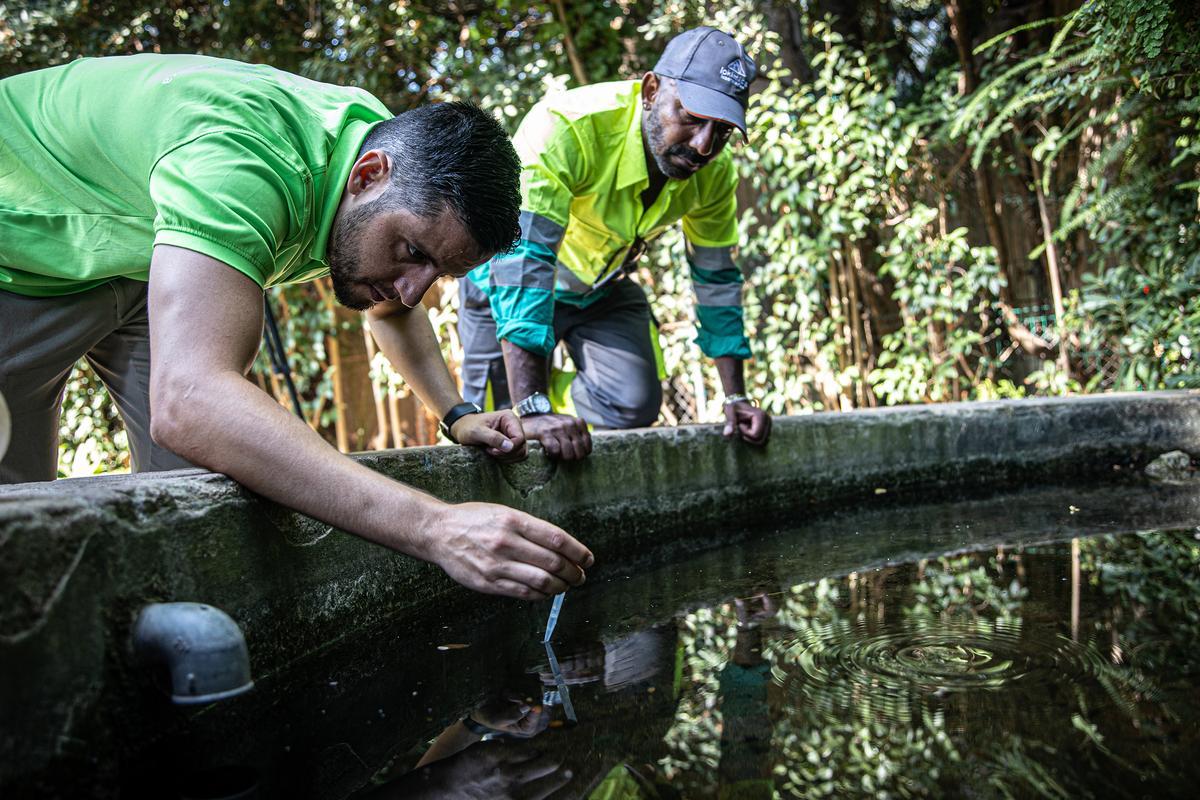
{"x":146,"y":203}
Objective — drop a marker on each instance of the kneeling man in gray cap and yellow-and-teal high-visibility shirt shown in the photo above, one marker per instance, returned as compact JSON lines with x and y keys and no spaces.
{"x":607,"y":169}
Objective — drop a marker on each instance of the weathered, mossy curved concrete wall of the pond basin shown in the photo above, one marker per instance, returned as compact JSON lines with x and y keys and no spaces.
{"x":79,"y":558}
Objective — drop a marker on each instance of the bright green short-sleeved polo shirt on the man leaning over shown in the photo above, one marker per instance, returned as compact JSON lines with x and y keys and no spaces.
{"x":104,"y":159}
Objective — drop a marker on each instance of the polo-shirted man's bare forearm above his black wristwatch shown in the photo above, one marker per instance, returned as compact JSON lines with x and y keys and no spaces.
{"x":407,"y":340}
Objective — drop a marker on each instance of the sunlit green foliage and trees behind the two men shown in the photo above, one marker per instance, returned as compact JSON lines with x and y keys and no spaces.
{"x":869,"y":274}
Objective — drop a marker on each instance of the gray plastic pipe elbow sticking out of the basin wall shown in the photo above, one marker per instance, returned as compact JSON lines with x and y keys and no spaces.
{"x":196,"y":652}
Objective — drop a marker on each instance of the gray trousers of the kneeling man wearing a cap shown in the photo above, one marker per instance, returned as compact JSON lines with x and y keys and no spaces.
{"x":616,"y":383}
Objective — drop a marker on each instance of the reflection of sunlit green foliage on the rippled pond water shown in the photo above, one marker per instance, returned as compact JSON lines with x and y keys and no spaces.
{"x":850,"y":717}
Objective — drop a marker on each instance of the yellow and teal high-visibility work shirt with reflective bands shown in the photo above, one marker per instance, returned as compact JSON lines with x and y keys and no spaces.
{"x":584,"y":173}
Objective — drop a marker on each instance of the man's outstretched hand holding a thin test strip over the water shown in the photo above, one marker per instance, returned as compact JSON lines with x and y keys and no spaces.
{"x":502,"y":551}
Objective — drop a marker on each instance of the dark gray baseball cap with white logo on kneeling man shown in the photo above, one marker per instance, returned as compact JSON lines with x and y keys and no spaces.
{"x":713,"y":74}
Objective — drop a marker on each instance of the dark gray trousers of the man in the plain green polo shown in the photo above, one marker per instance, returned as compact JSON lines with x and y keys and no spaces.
{"x":41,"y":339}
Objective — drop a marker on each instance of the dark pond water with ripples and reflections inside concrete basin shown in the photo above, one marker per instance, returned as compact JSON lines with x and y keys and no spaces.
{"x":1033,"y":645}
